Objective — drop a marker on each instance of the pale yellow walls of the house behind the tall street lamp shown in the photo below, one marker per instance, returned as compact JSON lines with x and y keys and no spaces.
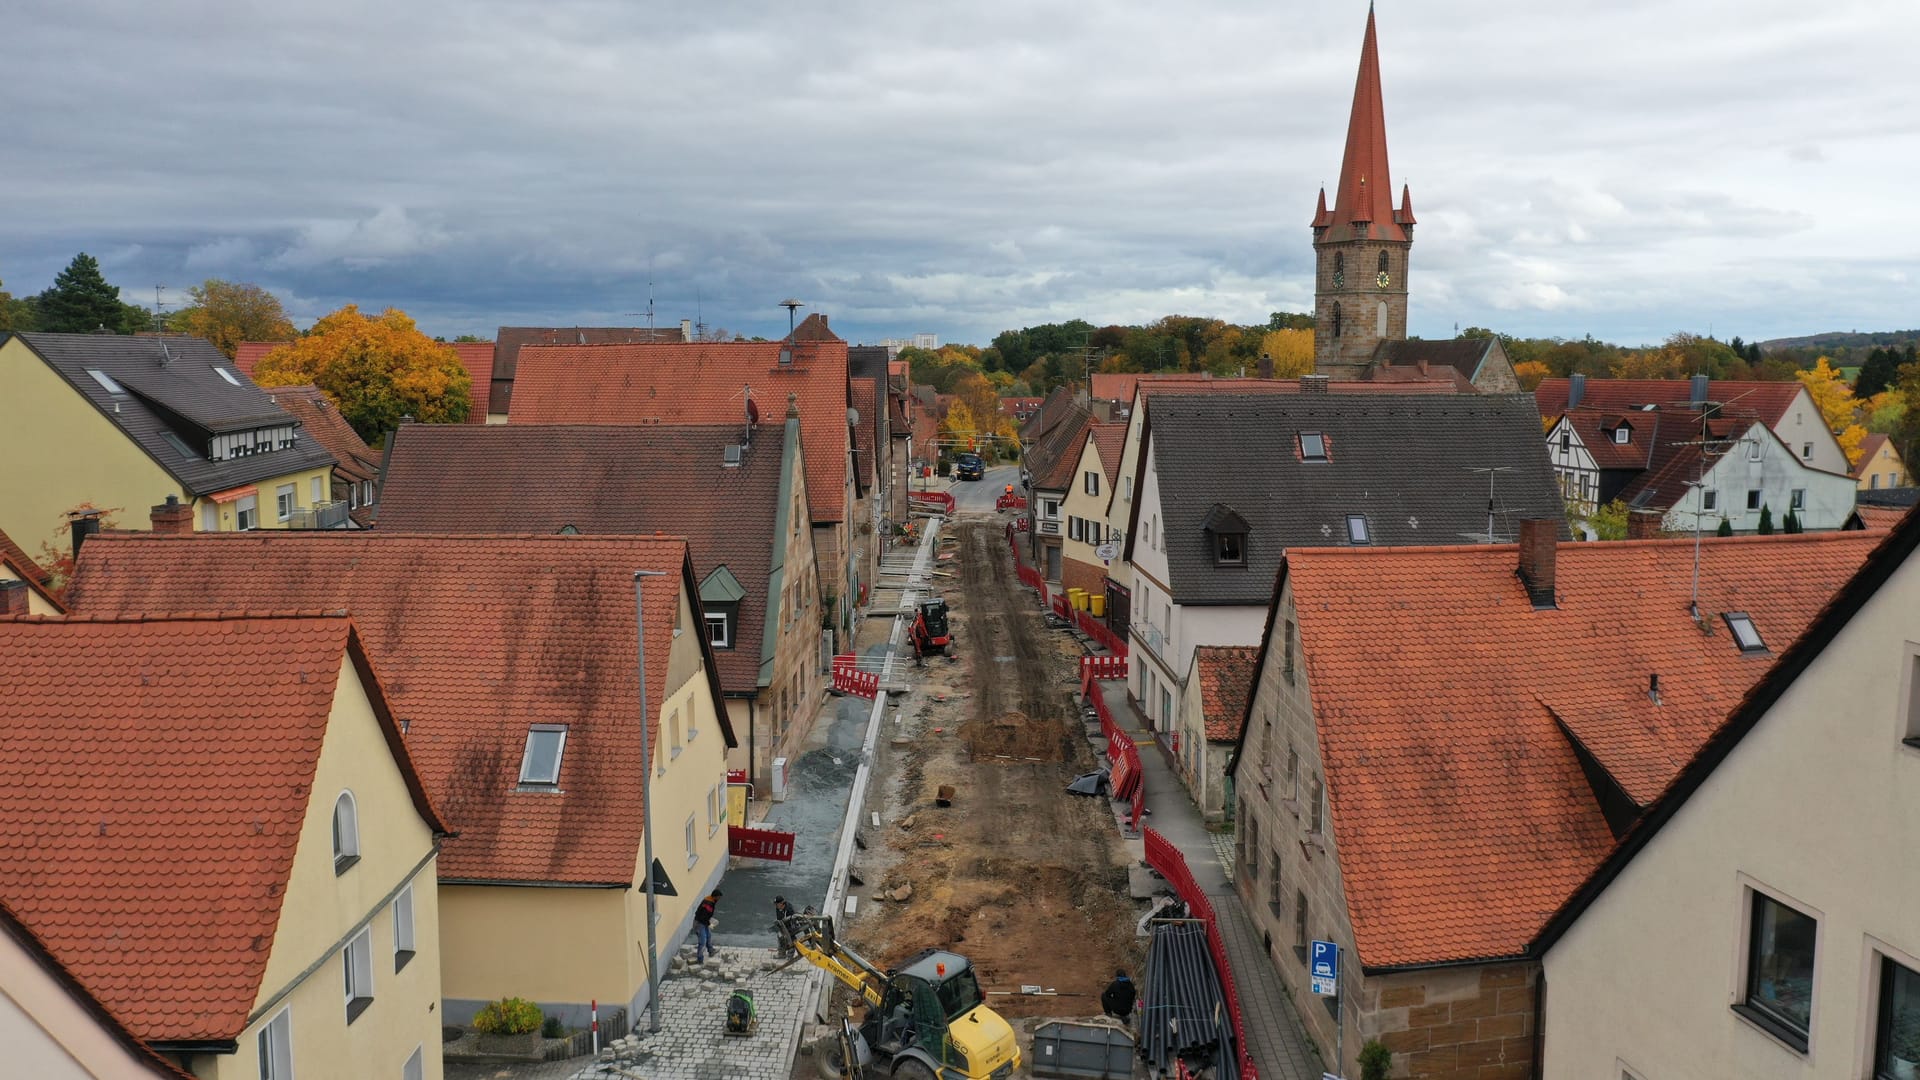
{"x":571,"y":946}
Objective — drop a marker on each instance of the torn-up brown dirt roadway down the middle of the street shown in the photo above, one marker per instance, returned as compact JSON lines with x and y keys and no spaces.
{"x":1020,"y":877}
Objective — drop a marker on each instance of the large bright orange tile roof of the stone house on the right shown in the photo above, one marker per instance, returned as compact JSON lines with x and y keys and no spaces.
{"x":1460,"y":810}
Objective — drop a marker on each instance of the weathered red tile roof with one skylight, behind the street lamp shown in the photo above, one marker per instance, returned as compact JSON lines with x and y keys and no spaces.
{"x":475,"y":637}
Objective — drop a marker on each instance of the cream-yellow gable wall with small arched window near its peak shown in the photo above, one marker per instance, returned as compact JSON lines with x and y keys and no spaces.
{"x":322,"y":912}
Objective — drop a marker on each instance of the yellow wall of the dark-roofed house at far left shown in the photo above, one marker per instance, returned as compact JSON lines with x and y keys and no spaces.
{"x":95,"y":464}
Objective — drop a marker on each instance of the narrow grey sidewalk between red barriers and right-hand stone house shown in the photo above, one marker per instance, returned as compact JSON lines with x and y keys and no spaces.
{"x":1274,"y":1035}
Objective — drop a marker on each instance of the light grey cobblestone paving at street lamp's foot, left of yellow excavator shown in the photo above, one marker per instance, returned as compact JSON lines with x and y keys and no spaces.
{"x":692,"y":1043}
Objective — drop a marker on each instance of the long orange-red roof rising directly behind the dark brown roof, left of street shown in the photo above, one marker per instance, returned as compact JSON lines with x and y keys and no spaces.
{"x":700,"y":383}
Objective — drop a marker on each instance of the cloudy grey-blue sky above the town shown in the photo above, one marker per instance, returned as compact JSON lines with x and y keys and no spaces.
{"x":1621,"y":168}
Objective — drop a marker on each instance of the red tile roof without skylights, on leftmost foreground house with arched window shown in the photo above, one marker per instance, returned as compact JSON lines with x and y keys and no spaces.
{"x":149,"y":839}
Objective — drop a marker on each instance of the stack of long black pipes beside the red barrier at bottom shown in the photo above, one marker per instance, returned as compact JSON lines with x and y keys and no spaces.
{"x":1184,"y":1014}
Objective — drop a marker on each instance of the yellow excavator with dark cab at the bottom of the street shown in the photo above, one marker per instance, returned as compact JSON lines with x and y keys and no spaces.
{"x":924,"y":1021}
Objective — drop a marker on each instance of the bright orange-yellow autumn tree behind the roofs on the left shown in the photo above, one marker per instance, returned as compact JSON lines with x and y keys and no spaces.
{"x":375,"y":368}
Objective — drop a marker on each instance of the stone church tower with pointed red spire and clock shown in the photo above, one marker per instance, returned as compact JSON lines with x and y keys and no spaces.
{"x":1362,"y":245}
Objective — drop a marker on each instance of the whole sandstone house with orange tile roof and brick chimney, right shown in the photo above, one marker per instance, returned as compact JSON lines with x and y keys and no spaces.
{"x":1443,"y":745}
